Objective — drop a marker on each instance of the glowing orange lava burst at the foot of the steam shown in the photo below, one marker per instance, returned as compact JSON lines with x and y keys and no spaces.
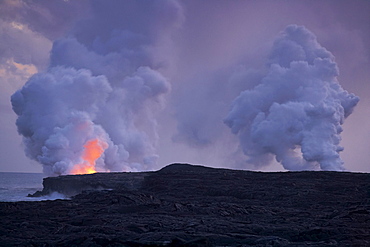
{"x":93,"y":150}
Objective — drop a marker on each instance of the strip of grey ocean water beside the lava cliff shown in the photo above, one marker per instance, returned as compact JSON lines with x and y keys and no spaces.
{"x":16,"y":186}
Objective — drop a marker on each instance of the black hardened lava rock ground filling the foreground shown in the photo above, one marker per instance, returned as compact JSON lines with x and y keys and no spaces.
{"x":183,"y":205}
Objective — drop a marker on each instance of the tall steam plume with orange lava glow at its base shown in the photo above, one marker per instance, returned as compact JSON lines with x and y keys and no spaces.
{"x":92,"y":110}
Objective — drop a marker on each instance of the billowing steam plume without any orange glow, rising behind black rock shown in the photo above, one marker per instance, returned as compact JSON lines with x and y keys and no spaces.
{"x":297,"y":110}
